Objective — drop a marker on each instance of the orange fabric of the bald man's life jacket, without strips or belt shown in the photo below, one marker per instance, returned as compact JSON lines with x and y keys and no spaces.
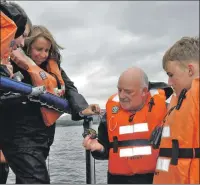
{"x":140,"y":164}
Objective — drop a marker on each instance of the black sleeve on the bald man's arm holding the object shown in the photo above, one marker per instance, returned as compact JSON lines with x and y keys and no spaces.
{"x":103,"y":139}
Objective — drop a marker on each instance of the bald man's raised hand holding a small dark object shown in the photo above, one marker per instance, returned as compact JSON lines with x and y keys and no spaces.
{"x":92,"y":144}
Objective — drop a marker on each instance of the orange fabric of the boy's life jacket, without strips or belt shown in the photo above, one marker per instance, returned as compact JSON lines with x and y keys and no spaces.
{"x":184,"y":126}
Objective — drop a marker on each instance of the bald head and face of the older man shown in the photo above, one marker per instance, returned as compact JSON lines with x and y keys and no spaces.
{"x":133,"y":88}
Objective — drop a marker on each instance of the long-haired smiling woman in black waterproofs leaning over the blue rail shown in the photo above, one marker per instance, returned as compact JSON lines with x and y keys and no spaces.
{"x":30,"y":134}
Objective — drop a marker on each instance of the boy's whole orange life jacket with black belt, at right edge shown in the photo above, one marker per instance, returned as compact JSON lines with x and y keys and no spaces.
{"x":179,"y":156}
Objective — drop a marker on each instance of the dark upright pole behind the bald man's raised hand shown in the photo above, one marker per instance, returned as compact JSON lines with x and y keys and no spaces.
{"x":90,"y":161}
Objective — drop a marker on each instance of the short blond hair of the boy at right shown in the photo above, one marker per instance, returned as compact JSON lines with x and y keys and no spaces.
{"x":184,"y":51}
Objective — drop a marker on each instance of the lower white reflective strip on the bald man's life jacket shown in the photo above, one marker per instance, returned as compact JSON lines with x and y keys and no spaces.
{"x":134,"y":151}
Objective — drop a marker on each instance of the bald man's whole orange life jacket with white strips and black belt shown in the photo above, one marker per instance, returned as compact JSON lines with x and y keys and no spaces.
{"x":131,"y":152}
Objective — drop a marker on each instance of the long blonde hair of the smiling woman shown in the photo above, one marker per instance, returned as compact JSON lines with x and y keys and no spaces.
{"x":41,"y":31}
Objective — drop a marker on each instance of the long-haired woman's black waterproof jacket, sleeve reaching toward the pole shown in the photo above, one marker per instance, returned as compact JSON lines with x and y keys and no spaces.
{"x":22,"y":124}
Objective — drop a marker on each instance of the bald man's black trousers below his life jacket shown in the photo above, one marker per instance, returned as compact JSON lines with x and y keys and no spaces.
{"x":135,"y":179}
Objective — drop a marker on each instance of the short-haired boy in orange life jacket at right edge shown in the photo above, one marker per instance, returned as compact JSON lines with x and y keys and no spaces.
{"x":179,"y":156}
